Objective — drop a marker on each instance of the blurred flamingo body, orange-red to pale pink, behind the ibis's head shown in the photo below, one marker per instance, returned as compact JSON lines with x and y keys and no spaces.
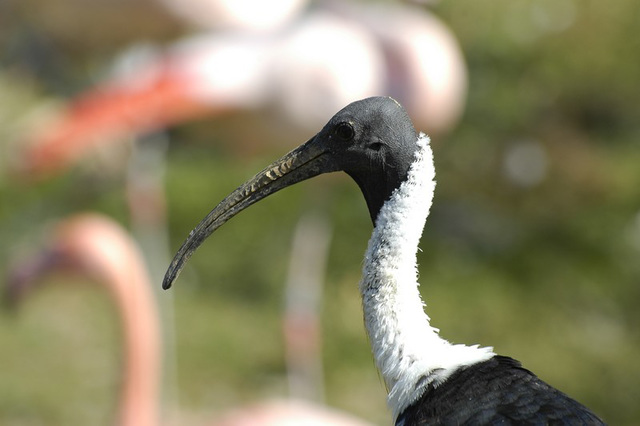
{"x":306,"y":70}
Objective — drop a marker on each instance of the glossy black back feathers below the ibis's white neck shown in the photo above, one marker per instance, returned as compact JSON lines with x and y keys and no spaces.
{"x":496,"y":391}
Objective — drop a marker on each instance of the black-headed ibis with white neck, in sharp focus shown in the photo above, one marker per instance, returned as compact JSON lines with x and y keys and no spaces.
{"x":430,"y":380}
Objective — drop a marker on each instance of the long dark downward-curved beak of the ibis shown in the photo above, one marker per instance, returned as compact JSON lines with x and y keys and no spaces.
{"x":308,"y":160}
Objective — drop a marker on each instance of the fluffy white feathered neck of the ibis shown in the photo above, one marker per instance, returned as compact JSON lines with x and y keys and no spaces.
{"x":408,"y":351}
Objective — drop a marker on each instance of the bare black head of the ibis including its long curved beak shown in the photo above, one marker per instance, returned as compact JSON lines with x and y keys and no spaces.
{"x":372,"y":140}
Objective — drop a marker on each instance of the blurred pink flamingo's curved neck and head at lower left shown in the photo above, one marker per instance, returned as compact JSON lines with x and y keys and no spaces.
{"x":98,"y":247}
